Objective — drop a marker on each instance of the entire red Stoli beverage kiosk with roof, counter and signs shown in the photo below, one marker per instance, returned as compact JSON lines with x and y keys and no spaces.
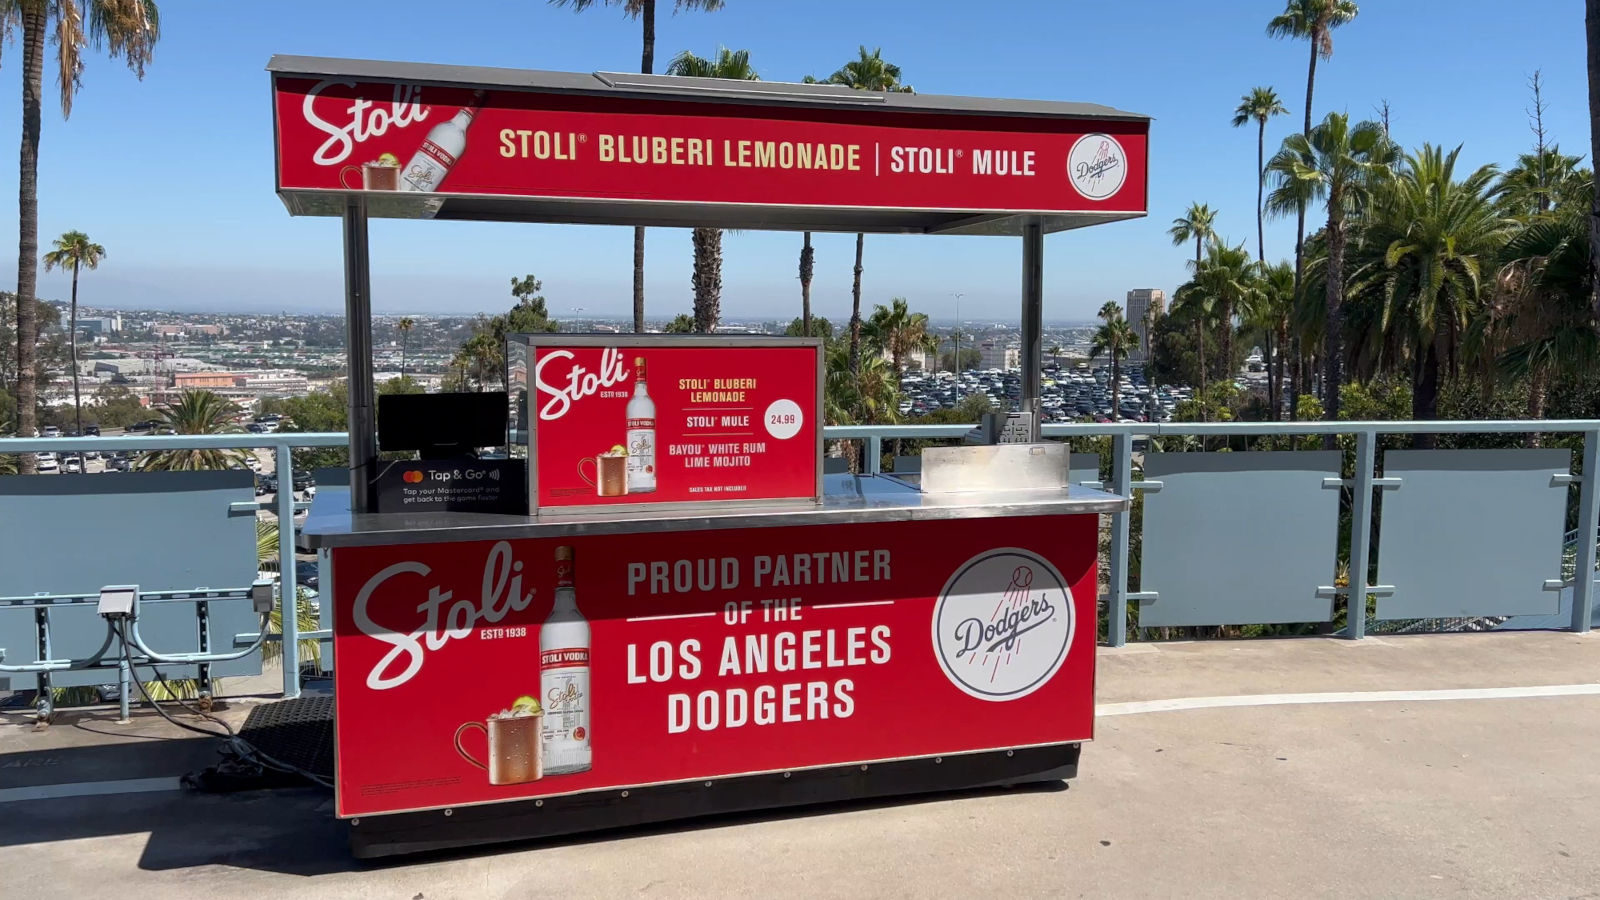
{"x":660,"y":606}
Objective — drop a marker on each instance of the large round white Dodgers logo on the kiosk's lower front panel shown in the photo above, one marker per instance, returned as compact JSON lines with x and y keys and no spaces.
{"x":1002,"y":625}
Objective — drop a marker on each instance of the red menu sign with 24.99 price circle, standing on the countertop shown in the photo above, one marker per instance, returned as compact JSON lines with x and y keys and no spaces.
{"x":673,"y":422}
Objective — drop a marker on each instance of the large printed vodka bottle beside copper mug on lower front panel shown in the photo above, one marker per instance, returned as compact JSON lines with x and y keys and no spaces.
{"x":564,"y":677}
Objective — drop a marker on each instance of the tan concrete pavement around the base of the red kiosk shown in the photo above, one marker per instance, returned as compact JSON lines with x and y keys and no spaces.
{"x":1428,"y":798}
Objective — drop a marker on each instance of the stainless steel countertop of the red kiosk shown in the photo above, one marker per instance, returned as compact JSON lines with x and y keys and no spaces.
{"x":846,"y":500}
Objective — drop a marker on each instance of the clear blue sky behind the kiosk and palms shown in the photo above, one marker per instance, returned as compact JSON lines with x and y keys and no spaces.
{"x":175,"y":175}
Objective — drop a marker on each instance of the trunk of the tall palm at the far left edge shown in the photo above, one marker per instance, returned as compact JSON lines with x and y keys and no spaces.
{"x":34,"y":22}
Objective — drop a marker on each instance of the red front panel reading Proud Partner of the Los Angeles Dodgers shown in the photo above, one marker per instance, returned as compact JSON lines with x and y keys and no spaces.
{"x":486,"y":672}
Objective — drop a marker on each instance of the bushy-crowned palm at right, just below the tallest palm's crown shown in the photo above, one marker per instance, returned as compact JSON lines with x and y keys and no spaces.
{"x":1340,"y":166}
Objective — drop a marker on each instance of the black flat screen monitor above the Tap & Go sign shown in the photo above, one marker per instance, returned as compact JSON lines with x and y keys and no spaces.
{"x":439,"y":427}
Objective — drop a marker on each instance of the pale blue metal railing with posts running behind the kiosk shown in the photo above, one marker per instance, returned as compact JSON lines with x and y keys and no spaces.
{"x":1122,"y":481}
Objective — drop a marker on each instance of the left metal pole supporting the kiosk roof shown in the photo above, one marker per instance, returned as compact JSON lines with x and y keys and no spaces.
{"x":359,"y":348}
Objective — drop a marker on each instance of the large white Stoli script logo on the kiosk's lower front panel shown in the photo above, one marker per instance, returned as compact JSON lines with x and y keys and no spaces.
{"x":442,"y":621}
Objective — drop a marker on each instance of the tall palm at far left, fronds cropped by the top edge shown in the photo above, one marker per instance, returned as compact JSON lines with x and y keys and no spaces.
{"x":127,"y":30}
